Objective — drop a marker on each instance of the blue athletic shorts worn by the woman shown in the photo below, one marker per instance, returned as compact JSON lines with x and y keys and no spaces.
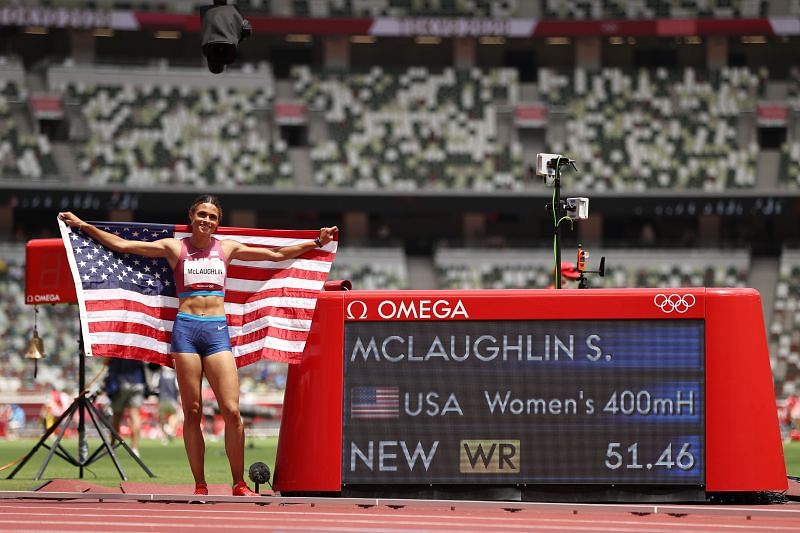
{"x":203,"y":335}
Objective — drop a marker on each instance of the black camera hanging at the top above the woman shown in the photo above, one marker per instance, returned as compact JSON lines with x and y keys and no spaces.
{"x":223,"y":28}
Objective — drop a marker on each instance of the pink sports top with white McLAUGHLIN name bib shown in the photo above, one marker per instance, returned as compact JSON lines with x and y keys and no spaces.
{"x":201,"y":271}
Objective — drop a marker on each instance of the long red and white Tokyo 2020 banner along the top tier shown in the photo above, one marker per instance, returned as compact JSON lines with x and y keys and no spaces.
{"x":448,"y":27}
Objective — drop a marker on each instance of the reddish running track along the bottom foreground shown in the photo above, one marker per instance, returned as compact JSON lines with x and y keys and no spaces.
{"x":148,"y":512}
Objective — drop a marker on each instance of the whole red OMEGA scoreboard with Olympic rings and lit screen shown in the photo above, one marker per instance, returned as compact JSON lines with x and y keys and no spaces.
{"x":664,"y":392}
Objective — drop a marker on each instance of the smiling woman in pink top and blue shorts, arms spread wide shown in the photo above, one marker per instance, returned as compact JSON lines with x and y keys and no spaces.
{"x":200,"y":339}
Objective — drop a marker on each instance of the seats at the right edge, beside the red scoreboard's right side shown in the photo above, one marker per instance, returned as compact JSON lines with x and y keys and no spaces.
{"x":784,"y":331}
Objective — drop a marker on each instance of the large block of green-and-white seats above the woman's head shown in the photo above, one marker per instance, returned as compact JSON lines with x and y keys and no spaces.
{"x":175,"y":133}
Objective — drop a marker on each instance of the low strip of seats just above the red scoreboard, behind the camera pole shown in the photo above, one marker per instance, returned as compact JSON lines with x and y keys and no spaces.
{"x":519,"y":269}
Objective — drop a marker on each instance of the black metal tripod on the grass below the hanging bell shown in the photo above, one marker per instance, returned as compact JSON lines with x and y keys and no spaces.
{"x":81,"y":405}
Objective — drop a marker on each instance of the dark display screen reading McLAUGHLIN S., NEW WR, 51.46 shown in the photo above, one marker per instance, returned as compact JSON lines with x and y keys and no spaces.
{"x":524,"y":401}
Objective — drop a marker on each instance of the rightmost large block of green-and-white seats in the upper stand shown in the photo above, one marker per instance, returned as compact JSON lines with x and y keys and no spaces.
{"x":628,"y":129}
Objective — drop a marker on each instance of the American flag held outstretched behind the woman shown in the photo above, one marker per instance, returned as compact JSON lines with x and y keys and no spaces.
{"x":128,"y":302}
